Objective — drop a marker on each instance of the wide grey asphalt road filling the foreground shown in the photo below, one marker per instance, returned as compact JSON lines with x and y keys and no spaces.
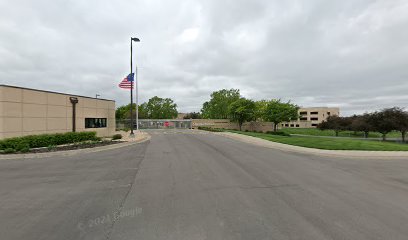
{"x":185,"y":185}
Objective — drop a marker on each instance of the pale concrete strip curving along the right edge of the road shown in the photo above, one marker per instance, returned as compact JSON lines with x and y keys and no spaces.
{"x":314,"y":151}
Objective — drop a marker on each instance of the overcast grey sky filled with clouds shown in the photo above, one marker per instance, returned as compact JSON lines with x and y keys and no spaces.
{"x":347,"y":53}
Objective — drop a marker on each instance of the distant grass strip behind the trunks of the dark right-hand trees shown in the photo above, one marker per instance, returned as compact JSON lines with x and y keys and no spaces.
{"x":317,"y":132}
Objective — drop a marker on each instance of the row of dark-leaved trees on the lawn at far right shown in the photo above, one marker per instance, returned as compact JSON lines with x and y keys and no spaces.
{"x":384,"y":122}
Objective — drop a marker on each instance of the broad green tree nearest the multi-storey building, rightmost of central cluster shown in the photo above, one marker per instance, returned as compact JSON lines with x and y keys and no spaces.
{"x":277,"y":112}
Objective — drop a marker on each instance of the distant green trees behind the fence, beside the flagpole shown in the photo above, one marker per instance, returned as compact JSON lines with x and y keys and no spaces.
{"x":155,"y":108}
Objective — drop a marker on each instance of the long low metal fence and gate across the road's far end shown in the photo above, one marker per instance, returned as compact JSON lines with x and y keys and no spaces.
{"x":156,"y":123}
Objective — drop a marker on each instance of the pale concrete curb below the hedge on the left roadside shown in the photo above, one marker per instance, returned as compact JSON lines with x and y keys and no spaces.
{"x":73,"y":152}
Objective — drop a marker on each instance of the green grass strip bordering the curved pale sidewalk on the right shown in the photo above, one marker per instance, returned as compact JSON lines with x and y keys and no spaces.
{"x":330,"y":143}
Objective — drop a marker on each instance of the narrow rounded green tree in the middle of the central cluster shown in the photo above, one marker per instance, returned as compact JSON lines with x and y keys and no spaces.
{"x":242,"y":110}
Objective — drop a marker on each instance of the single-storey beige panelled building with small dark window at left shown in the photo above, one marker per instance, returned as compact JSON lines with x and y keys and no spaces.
{"x":25,"y":111}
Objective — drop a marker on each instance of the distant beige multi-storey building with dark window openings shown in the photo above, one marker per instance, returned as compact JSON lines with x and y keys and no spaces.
{"x":311,"y":117}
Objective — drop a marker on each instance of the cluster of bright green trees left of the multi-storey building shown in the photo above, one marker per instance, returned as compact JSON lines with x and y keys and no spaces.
{"x":228,"y":104}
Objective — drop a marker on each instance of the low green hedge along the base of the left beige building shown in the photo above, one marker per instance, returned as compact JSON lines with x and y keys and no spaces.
{"x":44,"y":140}
